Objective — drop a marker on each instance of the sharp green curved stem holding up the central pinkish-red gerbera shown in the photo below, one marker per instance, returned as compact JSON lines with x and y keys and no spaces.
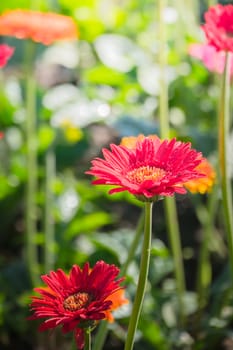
{"x":144,"y":268}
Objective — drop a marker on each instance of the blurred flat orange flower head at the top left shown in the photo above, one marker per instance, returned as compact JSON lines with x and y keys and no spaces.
{"x":42,"y":27}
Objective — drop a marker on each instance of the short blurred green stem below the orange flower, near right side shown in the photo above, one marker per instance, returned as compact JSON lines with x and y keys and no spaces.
{"x":205,"y":215}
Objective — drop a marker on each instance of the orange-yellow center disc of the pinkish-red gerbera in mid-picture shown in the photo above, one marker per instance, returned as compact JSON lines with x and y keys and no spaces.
{"x":145,"y":173}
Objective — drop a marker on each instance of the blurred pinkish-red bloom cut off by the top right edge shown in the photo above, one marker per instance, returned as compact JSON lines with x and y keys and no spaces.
{"x":218,"y":27}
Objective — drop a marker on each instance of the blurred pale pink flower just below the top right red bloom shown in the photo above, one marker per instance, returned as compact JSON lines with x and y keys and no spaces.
{"x":213,"y":60}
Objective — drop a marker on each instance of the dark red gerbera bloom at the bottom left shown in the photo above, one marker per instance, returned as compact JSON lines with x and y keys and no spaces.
{"x":78,"y":300}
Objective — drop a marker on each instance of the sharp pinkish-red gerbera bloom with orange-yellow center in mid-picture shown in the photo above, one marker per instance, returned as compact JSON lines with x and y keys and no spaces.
{"x":152,"y":168}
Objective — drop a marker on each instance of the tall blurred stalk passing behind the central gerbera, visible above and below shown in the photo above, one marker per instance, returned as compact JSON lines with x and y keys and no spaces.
{"x":169,"y":203}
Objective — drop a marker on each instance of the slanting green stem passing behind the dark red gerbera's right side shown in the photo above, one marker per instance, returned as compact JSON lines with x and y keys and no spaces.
{"x":103,"y":327}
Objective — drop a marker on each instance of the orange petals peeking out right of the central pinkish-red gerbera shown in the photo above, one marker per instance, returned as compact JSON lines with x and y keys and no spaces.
{"x":203,"y":184}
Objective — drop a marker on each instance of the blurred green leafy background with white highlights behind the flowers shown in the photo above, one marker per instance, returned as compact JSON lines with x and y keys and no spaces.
{"x":92,"y":92}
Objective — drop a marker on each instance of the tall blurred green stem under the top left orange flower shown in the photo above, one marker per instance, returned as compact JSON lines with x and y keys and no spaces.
{"x":31,"y":152}
